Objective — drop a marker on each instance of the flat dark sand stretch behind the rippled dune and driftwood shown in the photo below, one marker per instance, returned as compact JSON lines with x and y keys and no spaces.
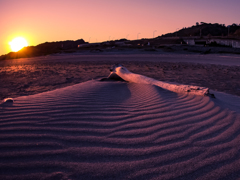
{"x":34,"y":75}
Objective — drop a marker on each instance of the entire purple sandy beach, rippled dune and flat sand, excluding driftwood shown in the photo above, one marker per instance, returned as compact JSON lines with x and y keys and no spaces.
{"x":65,"y":123}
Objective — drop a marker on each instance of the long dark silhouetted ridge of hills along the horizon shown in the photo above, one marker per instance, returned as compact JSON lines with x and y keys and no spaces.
{"x":200,"y":29}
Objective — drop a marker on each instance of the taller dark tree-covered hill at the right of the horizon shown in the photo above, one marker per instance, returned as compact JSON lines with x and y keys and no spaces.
{"x":207,"y":29}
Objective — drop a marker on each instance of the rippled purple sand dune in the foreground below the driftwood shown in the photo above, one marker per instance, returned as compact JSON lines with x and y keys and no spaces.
{"x":118,"y":130}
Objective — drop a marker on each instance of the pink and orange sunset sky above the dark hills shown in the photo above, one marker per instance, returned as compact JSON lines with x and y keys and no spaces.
{"x":100,"y":20}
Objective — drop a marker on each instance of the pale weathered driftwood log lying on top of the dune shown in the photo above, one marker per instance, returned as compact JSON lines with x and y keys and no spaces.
{"x":126,"y":75}
